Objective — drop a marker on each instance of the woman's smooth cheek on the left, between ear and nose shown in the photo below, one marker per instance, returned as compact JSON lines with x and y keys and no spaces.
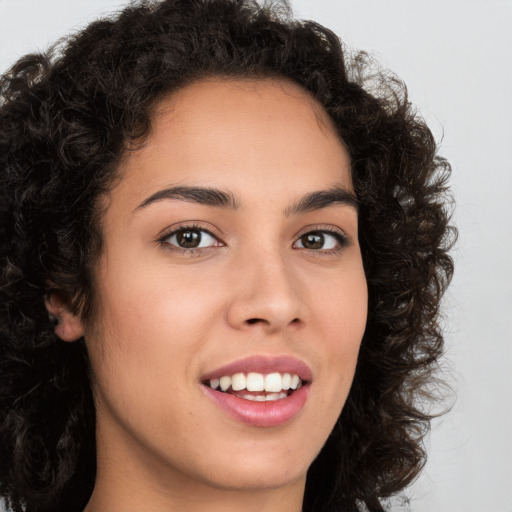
{"x":150,"y":320}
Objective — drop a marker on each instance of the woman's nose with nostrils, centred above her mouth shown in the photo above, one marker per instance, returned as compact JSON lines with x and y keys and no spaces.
{"x":267,"y":295}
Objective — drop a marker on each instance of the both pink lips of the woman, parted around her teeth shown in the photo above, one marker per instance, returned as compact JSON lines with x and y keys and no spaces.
{"x":261,"y":414}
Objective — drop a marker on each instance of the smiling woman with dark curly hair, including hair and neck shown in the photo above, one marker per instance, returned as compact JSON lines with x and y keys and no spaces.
{"x":223,"y":252}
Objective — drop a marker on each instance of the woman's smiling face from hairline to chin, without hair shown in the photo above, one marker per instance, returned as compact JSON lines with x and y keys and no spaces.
{"x":230,"y":247}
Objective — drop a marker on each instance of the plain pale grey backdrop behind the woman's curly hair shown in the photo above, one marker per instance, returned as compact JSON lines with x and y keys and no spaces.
{"x":456,"y":58}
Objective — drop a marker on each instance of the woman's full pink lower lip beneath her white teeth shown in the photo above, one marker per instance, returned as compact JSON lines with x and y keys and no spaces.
{"x":260,"y":414}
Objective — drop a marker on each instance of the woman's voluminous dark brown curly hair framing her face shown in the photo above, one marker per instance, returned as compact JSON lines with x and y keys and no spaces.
{"x":67,"y":116}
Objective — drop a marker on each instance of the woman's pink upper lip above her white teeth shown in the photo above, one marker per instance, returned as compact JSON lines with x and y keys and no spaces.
{"x":263,"y":364}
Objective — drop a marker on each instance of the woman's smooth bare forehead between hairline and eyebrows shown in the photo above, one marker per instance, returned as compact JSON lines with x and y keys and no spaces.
{"x":238,"y":134}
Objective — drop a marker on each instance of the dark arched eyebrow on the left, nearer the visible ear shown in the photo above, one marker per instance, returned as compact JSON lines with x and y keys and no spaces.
{"x":199,"y":195}
